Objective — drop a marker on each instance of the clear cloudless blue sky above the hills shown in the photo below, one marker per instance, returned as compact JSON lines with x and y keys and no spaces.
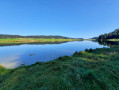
{"x":72,"y":18}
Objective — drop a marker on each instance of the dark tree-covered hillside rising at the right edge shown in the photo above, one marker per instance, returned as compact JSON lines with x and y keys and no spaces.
{"x":112,"y":35}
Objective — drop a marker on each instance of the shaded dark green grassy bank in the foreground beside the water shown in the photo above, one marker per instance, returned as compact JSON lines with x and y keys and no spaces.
{"x":87,"y":70}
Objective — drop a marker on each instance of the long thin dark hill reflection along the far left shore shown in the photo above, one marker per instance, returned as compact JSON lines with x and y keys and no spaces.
{"x":34,"y":43}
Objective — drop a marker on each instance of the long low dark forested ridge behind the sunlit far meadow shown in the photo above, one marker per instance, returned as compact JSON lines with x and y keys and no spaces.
{"x":33,"y":36}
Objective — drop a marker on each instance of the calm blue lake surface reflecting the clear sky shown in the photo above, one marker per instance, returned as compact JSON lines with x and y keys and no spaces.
{"x":12,"y":56}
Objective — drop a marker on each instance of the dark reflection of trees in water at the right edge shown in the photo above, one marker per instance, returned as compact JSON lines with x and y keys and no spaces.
{"x":109,"y":43}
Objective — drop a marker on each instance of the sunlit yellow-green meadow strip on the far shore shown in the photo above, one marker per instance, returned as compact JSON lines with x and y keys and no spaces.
{"x":23,"y":40}
